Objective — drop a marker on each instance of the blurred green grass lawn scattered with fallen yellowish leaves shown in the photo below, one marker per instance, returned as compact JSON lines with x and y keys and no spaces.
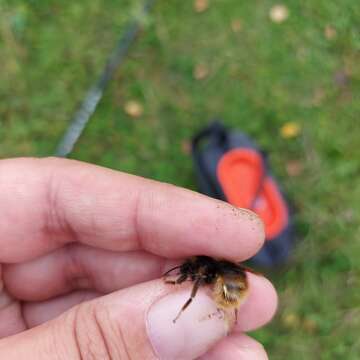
{"x":287,"y":74}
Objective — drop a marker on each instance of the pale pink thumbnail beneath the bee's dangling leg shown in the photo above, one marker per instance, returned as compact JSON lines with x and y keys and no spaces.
{"x":197,"y":329}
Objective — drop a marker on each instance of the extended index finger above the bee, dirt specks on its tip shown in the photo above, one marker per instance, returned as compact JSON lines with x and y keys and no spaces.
{"x":47,"y":203}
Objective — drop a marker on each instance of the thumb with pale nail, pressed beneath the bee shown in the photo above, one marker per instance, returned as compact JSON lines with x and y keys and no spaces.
{"x":134,"y":323}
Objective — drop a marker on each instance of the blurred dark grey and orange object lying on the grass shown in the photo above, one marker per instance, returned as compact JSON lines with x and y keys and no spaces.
{"x":231,"y":167}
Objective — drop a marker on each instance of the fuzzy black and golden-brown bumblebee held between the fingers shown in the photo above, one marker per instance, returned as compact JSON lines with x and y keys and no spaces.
{"x":228,"y":281}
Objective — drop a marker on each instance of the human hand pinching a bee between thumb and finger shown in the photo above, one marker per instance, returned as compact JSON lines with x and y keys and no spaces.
{"x":82,"y":251}
